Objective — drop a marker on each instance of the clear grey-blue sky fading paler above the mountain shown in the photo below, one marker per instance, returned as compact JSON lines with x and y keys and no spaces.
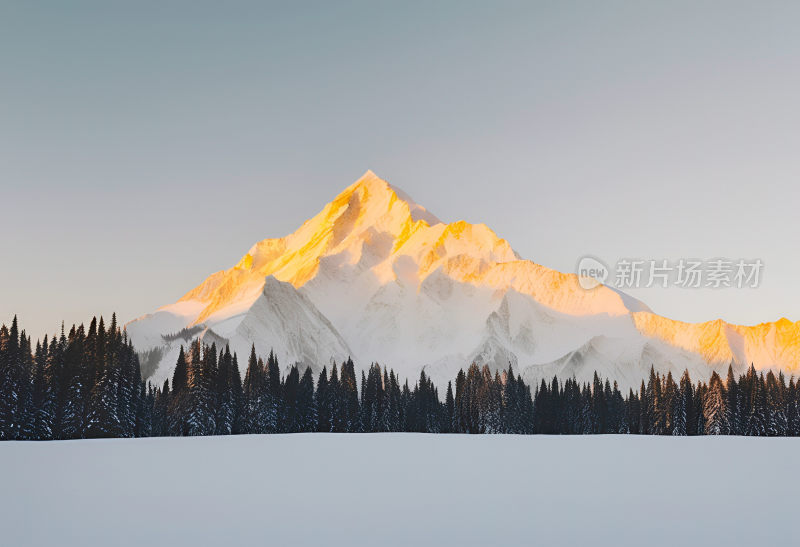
{"x":145,"y":145}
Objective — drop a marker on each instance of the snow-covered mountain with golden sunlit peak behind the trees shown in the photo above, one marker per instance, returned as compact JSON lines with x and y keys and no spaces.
{"x":377,"y":277}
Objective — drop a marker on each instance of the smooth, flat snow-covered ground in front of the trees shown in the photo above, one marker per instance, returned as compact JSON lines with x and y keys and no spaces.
{"x":400,"y":489}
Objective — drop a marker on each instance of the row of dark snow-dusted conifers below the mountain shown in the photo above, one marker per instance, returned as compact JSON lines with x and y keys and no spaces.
{"x":87,"y":383}
